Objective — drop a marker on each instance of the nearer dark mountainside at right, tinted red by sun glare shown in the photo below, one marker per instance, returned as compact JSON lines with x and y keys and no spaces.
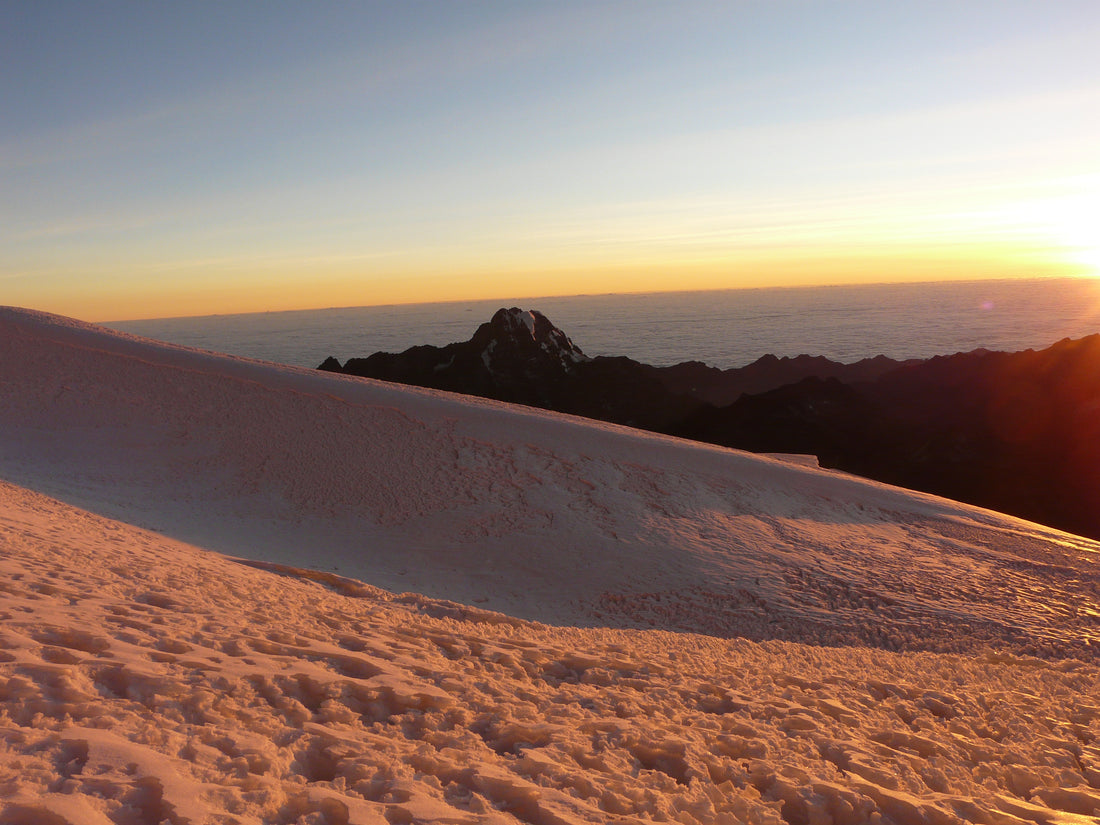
{"x":1017,"y":433}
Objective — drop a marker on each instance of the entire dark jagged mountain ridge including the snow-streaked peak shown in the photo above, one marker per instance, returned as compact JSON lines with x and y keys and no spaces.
{"x":1017,"y":433}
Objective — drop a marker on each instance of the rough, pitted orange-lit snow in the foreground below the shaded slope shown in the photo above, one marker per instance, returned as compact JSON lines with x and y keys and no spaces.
{"x":147,"y":681}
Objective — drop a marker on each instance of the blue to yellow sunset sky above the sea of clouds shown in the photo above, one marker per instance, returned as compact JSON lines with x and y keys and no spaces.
{"x":168,"y":160}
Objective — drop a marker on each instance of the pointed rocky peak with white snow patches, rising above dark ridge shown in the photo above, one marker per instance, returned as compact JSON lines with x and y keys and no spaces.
{"x":527,"y":335}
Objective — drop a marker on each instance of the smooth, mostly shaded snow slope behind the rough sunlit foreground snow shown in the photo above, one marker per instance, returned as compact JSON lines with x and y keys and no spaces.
{"x":534,"y":514}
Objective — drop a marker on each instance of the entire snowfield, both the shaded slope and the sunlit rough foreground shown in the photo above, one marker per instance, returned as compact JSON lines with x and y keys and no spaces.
{"x":148,"y":680}
